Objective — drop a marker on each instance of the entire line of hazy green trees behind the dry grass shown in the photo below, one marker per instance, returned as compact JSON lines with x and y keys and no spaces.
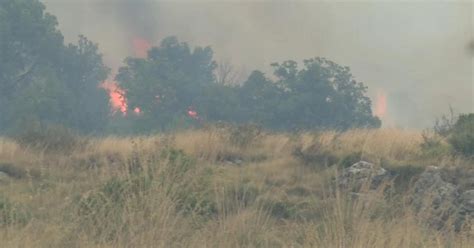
{"x":44,"y":80}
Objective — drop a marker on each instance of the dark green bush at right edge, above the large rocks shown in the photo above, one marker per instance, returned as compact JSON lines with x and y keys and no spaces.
{"x":462,"y":135}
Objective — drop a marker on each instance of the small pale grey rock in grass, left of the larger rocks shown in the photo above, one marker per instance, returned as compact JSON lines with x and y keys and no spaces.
{"x":362,"y":173}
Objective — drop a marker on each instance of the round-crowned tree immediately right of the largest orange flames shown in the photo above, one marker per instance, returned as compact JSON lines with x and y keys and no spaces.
{"x":169,"y":81}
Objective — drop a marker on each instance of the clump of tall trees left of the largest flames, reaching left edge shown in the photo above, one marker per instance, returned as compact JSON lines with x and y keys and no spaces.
{"x":41,"y":79}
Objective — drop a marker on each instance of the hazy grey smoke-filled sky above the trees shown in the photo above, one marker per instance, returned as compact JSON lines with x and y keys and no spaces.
{"x":414,"y":52}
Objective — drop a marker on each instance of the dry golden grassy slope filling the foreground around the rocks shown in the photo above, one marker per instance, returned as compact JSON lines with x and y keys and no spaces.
{"x":217,"y":187}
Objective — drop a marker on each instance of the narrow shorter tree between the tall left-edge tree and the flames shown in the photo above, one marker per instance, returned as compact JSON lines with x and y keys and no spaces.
{"x":82,"y":70}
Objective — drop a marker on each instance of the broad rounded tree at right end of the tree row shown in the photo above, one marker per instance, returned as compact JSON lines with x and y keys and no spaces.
{"x":321,"y":95}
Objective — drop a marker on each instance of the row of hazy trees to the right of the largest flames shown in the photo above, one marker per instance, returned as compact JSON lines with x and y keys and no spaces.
{"x":174,"y":77}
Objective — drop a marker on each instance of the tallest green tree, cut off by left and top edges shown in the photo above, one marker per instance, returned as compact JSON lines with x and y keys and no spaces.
{"x":29,"y":45}
